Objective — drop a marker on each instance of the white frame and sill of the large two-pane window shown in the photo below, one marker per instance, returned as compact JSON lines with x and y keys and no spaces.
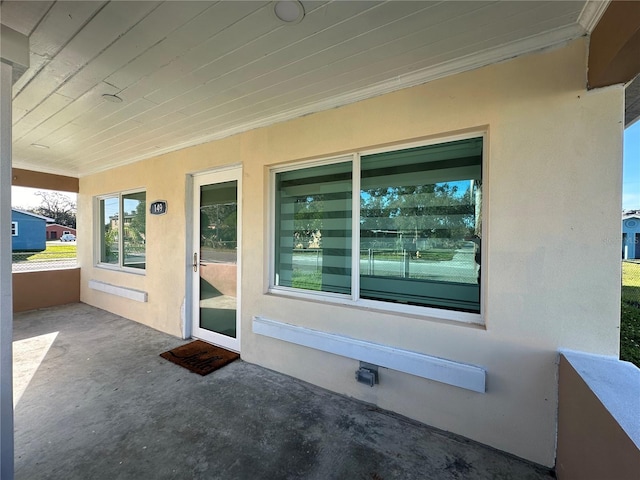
{"x":353,"y":300}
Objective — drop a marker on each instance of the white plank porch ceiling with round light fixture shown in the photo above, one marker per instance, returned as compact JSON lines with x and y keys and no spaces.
{"x":193,"y":71}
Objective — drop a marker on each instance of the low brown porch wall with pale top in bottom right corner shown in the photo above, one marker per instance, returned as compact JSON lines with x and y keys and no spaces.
{"x":592,"y":444}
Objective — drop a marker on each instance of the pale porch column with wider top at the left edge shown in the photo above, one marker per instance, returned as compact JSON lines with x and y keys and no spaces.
{"x":14,"y":59}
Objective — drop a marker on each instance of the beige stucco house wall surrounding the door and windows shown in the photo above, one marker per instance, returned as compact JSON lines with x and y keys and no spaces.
{"x":552,"y":190}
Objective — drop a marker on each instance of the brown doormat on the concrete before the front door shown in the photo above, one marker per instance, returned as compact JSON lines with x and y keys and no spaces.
{"x":200,"y":357}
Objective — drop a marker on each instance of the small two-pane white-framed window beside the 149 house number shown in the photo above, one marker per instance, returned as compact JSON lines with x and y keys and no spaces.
{"x":122,"y":230}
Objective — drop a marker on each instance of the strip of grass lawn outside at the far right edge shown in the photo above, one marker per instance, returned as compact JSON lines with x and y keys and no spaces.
{"x":630,"y":313}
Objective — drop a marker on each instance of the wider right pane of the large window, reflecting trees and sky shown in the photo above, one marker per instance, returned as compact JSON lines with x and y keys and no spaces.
{"x":419,"y":225}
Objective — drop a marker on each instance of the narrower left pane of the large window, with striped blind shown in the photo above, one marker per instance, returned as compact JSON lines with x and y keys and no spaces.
{"x":313,"y":224}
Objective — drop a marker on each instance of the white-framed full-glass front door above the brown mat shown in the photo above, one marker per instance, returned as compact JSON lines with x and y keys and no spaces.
{"x":216,"y":251}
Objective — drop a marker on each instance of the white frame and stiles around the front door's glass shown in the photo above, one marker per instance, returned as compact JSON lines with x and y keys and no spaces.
{"x":221,"y":174}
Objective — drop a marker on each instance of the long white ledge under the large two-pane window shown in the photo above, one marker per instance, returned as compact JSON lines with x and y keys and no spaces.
{"x":470,"y":377}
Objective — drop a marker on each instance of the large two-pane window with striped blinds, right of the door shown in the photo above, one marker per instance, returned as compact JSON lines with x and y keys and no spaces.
{"x":410,"y":235}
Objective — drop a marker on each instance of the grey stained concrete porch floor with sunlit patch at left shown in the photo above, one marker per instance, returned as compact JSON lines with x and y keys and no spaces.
{"x":95,"y":401}
